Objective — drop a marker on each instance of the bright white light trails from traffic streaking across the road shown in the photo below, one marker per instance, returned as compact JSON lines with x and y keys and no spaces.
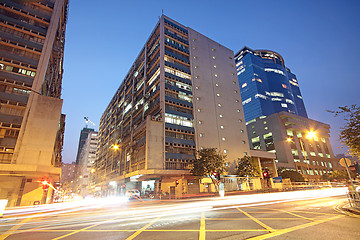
{"x":165,"y":207}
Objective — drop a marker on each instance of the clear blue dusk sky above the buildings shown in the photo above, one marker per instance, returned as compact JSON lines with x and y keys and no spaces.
{"x":319,"y":41}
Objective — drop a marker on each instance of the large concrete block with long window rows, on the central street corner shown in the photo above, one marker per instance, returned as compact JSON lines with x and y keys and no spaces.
{"x":181,"y":94}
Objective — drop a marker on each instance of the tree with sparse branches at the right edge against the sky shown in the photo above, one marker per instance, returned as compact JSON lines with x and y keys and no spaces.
{"x":350,"y":133}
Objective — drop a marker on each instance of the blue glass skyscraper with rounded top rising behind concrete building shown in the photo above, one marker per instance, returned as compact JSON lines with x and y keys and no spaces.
{"x":266,"y":85}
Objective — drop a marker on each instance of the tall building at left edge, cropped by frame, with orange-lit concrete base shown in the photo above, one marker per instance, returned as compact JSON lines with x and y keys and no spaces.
{"x":32,"y":35}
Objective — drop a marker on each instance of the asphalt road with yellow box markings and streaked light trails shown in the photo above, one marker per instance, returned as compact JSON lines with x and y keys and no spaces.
{"x":259,"y":216}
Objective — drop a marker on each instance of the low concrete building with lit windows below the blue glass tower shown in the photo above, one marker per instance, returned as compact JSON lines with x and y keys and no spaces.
{"x":285,"y":134}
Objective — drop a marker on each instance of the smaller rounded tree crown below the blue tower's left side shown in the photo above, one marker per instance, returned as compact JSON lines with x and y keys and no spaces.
{"x":248,"y":167}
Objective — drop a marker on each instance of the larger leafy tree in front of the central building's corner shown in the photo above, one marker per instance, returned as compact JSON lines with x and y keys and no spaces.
{"x":208,"y":162}
